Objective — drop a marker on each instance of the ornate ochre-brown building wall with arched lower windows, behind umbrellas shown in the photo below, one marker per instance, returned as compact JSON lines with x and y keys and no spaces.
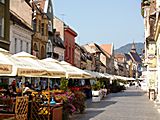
{"x":40,"y":38}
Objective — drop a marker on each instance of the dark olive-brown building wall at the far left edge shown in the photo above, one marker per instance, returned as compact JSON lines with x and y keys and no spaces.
{"x":4,"y":14}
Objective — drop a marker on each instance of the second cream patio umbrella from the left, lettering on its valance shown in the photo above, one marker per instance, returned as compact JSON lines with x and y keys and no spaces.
{"x":27,"y":67}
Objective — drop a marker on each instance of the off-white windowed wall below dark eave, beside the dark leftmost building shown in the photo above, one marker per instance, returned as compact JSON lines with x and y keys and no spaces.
{"x":20,"y":39}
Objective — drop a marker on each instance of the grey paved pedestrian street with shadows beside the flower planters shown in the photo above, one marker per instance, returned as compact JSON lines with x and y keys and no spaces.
{"x":132,"y":104}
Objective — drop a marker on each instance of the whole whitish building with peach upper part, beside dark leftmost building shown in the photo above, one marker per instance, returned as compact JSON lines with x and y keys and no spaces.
{"x":20,"y":26}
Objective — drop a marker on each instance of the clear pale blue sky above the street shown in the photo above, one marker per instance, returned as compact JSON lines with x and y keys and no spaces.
{"x":102,"y":21}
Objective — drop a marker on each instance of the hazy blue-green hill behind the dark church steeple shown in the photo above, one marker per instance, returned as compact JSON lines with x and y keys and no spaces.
{"x":126,"y":48}
